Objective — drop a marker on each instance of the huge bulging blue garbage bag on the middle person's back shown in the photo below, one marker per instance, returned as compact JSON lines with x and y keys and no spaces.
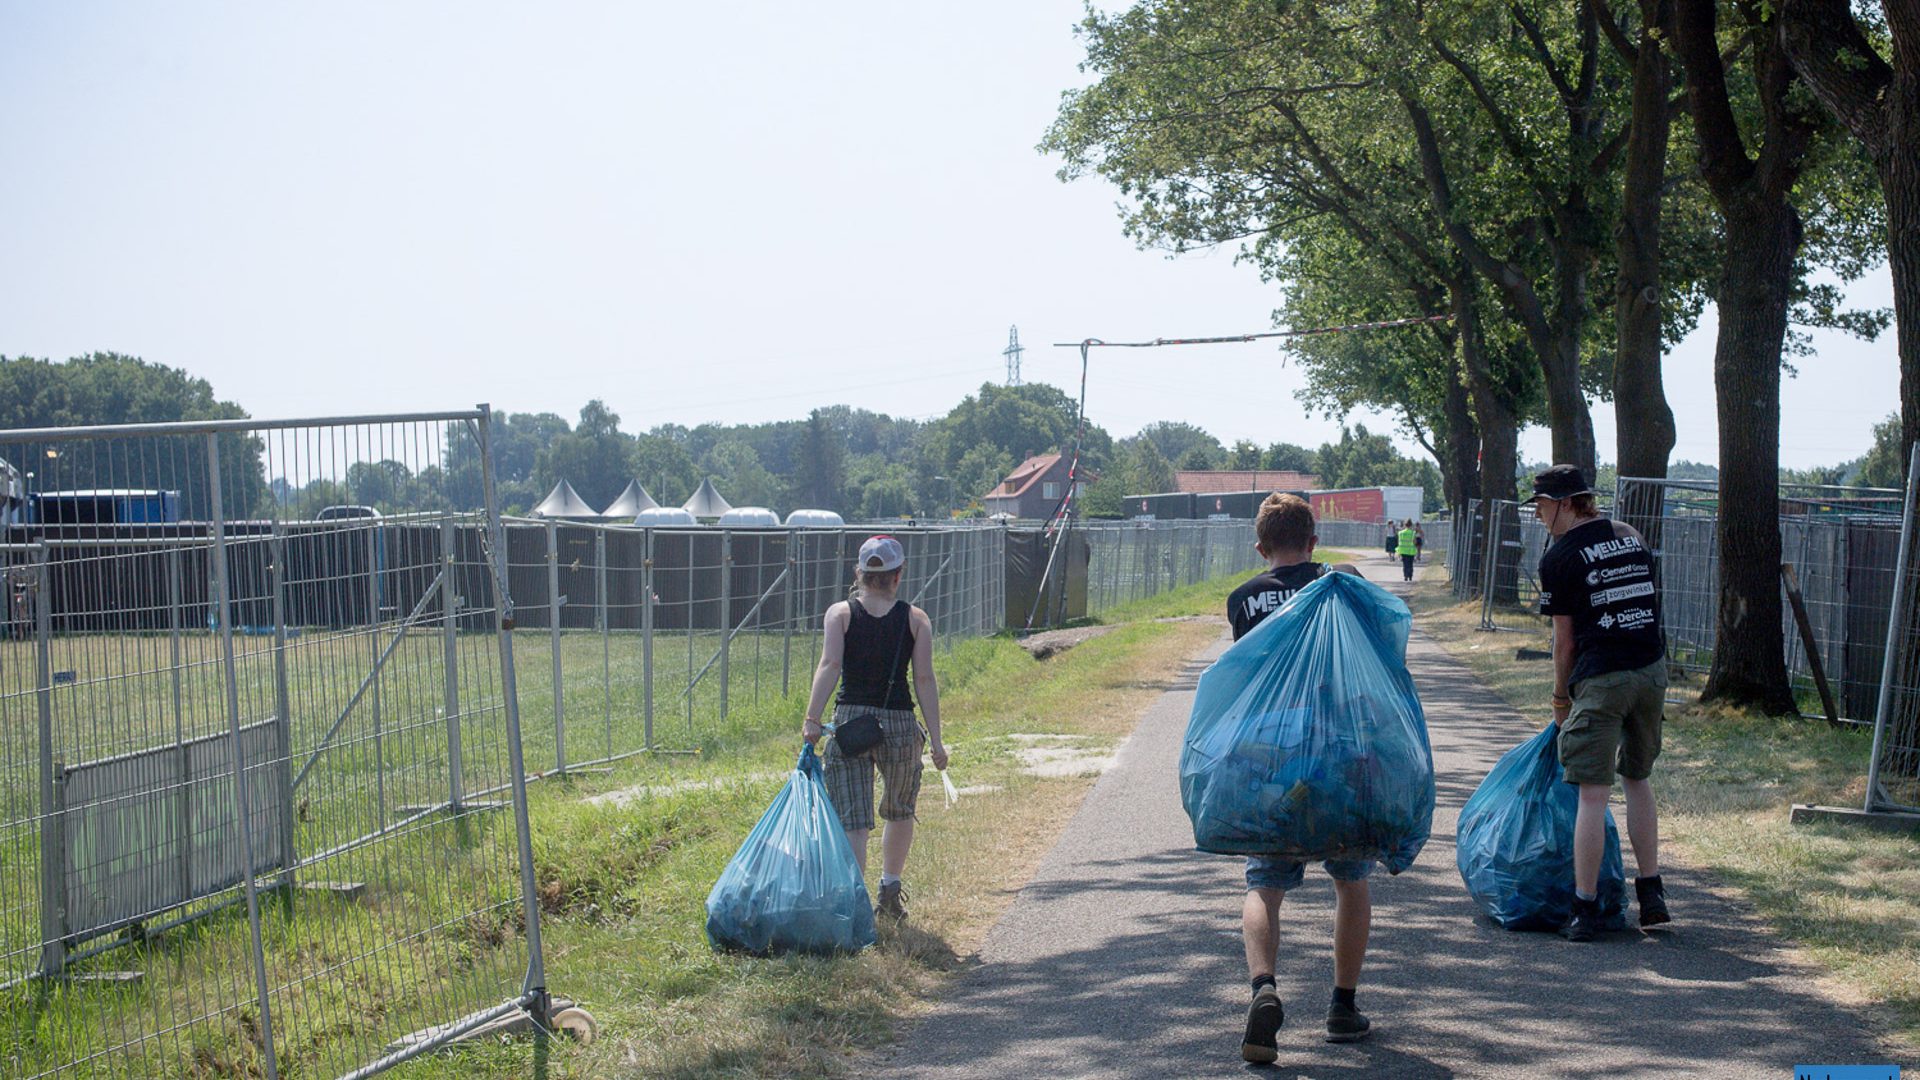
{"x":1308,"y":741}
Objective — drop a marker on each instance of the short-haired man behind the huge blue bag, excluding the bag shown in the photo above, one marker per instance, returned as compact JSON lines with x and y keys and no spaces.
{"x":1285,"y":531}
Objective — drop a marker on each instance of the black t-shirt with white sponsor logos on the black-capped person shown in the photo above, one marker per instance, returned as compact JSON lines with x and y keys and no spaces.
{"x":1602,"y":577}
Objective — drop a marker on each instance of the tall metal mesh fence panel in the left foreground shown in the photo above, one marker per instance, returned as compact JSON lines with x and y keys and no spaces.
{"x":245,"y":756}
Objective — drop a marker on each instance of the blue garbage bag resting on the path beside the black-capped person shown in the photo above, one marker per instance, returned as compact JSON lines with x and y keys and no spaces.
{"x":1516,"y":843}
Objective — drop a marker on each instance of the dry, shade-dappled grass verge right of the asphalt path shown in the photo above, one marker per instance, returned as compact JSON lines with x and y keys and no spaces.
{"x":1727,"y":783}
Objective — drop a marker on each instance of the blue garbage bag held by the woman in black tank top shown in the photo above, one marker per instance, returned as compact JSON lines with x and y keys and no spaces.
{"x":794,"y":885}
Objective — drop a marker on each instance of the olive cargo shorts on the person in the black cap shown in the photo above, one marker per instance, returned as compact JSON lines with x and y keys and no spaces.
{"x":1616,"y":725}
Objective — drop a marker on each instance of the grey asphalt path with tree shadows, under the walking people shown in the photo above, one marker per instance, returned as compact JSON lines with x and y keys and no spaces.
{"x":1122,"y":956}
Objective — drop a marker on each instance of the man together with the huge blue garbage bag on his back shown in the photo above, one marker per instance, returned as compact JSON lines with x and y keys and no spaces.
{"x":1308,"y":743}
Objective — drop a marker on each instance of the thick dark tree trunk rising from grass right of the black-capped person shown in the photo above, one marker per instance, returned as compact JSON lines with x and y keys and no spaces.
{"x":1764,"y":235}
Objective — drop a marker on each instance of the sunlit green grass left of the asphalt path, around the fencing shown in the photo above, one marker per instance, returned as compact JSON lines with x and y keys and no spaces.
{"x":435,"y":931}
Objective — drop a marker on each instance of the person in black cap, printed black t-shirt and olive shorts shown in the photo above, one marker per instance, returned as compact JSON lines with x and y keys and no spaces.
{"x":1610,"y":683}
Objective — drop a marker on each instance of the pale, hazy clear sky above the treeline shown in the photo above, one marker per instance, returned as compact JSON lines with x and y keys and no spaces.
{"x":696,"y":212}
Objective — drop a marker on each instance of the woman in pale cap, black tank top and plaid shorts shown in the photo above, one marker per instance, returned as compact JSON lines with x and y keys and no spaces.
{"x":869,"y":643}
